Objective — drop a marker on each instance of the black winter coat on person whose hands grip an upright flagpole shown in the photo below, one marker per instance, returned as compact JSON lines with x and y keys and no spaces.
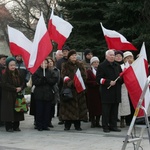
{"x":44,"y":85}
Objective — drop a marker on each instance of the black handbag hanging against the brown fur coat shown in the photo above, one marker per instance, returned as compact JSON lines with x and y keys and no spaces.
{"x":66,"y":94}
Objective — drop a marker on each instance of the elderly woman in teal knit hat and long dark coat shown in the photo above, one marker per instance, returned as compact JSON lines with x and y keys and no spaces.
{"x":12,"y":83}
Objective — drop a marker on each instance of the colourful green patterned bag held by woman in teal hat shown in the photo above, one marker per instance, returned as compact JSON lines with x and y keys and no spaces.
{"x":20,"y":104}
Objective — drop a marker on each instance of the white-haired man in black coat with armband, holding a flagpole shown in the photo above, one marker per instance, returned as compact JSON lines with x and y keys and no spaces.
{"x":106,"y":74}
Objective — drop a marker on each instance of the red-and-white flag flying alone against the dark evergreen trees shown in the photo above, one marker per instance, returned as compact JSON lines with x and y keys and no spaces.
{"x":116,"y":41}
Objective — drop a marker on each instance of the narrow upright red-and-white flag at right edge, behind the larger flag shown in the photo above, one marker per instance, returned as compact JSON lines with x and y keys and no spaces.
{"x":143,"y":54}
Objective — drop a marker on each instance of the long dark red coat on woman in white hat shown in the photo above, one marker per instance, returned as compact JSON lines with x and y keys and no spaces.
{"x":93,"y":94}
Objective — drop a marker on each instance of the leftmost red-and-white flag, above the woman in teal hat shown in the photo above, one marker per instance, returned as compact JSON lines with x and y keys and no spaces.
{"x":19,"y":44}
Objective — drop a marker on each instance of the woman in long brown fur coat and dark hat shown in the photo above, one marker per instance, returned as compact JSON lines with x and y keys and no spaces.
{"x":75,"y":110}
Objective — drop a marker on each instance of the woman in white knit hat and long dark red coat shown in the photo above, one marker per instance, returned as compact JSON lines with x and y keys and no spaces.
{"x":93,"y":95}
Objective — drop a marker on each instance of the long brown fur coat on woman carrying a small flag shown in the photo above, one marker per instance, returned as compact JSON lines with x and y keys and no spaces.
{"x":75,"y":109}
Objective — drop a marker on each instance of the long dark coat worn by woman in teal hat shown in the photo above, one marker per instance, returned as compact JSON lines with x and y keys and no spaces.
{"x":10,"y":80}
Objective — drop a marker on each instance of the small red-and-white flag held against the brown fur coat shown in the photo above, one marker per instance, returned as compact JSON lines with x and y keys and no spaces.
{"x":78,"y":82}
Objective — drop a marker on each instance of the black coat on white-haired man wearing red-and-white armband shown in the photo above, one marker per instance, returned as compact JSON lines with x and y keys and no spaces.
{"x":109,"y":72}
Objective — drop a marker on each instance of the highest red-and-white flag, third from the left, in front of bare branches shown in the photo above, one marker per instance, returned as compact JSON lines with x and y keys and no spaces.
{"x":59,"y":30}
